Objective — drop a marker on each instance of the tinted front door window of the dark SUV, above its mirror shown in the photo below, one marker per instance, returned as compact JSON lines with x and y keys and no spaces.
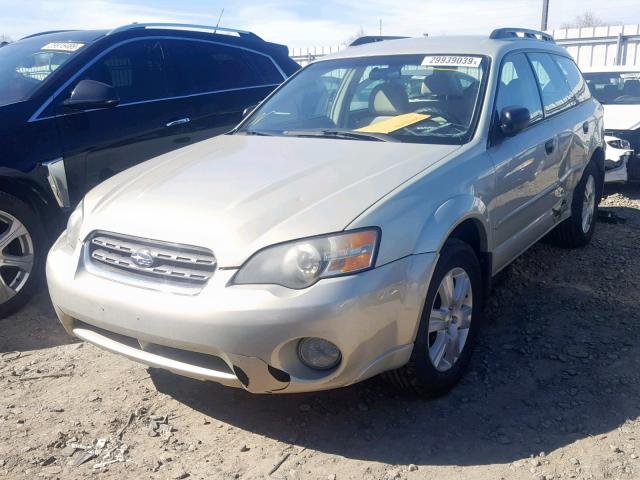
{"x":136,"y":70}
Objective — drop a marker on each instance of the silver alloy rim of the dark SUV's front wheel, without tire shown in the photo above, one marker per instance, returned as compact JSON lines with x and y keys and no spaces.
{"x":16,"y":256}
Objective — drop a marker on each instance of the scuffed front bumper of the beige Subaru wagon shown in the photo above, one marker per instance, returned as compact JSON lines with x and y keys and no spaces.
{"x":246,"y":336}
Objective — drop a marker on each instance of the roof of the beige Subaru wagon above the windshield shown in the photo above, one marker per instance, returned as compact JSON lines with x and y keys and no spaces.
{"x":458,"y":45}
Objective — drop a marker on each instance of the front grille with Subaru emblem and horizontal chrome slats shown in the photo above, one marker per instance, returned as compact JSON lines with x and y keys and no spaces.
{"x":184,"y":267}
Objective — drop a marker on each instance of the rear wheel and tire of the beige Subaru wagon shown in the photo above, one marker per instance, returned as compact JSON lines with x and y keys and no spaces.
{"x":577,"y":230}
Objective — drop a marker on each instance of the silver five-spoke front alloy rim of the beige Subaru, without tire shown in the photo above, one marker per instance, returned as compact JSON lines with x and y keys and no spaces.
{"x":450,"y":319}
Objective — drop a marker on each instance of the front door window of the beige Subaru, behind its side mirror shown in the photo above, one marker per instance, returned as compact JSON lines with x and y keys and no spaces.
{"x":518,"y":87}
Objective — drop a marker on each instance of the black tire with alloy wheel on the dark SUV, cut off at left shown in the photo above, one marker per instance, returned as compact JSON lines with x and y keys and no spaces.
{"x":22,"y":252}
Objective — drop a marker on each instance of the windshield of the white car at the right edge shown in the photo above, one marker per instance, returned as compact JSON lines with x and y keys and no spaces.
{"x":615,"y":87}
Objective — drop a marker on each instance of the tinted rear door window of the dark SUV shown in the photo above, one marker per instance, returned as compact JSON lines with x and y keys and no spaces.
{"x":201,"y":67}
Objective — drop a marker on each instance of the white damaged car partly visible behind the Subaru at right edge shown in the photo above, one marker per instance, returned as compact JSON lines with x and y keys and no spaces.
{"x":618,"y":89}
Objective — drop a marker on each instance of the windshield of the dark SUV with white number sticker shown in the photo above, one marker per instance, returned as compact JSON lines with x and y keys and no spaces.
{"x":25,"y":65}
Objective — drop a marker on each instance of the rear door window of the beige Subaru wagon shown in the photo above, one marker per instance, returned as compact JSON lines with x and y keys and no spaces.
{"x":556,"y":95}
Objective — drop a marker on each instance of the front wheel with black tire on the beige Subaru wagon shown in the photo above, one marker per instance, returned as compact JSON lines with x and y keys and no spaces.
{"x":450,"y":320}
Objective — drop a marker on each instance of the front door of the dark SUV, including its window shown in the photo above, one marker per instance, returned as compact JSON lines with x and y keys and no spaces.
{"x":98,"y":143}
